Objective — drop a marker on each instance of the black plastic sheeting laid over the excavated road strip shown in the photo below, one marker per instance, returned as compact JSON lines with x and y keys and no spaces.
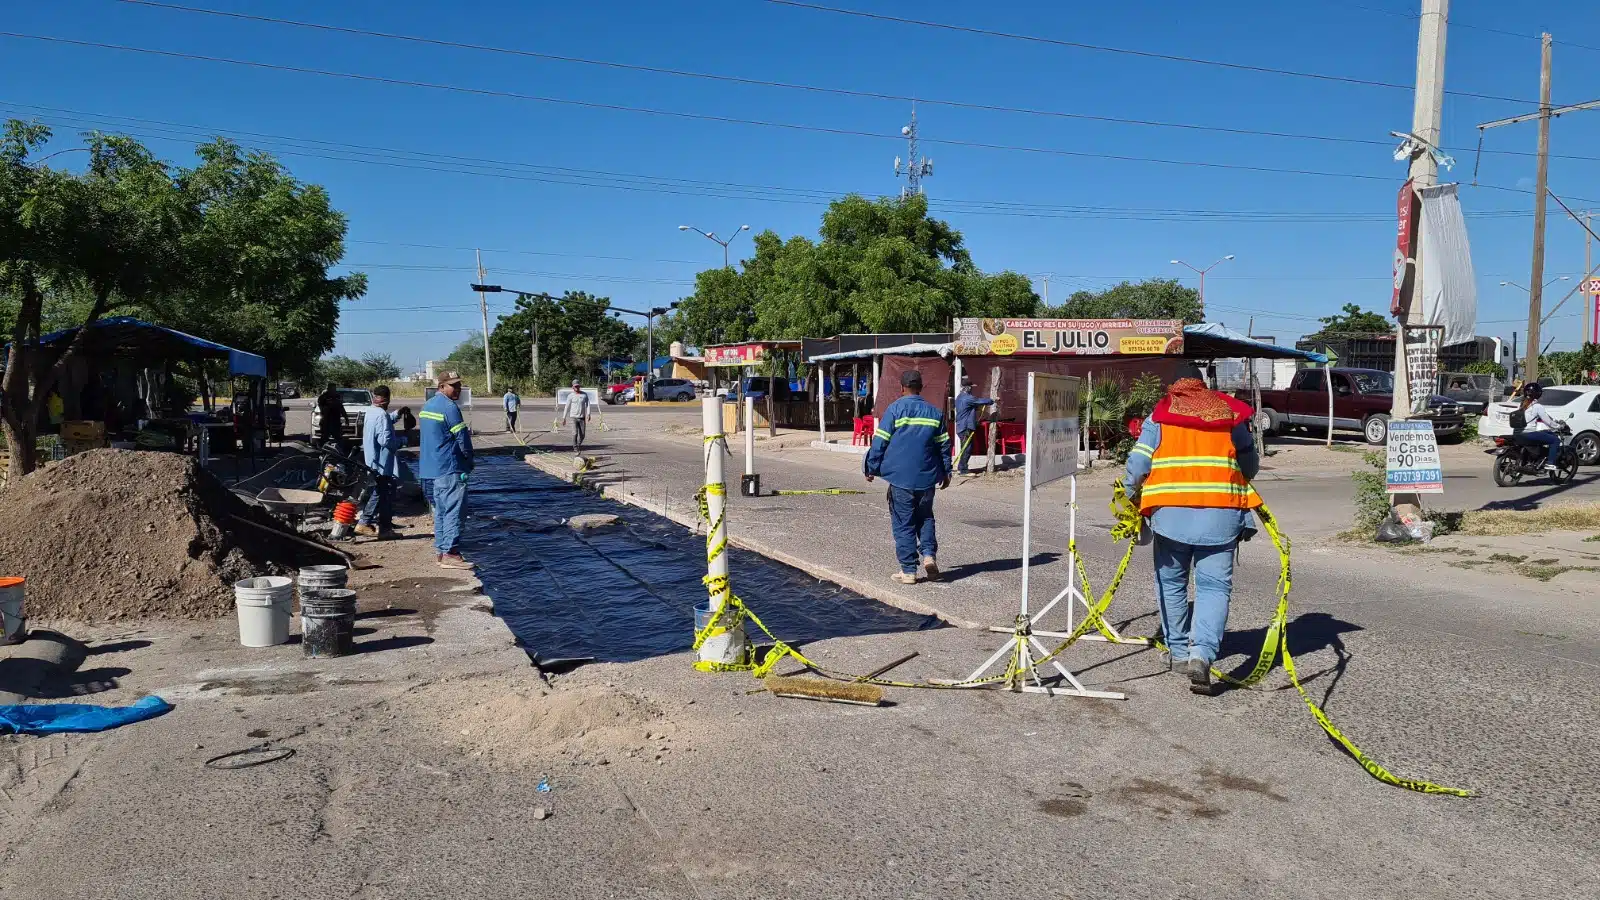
{"x":626,"y":593}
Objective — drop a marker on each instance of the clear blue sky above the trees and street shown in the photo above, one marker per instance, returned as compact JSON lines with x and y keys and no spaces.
{"x":590,"y":199}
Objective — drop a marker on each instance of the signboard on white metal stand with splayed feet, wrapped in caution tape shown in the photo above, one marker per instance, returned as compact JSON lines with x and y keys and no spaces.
{"x":1052,"y":454}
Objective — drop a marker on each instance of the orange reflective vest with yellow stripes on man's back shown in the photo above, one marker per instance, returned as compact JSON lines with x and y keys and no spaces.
{"x":1196,"y":468}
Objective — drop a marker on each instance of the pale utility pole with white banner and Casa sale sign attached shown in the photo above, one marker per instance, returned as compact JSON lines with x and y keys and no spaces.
{"x":1426,"y":123}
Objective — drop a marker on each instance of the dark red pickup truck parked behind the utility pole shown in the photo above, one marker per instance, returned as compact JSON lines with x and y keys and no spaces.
{"x":1362,"y":400}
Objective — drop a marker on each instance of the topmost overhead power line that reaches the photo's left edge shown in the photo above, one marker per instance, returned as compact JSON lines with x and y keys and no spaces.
{"x":674,"y":115}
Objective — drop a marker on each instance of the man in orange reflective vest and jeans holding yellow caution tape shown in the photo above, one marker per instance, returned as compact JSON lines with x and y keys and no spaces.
{"x":1191,"y":476}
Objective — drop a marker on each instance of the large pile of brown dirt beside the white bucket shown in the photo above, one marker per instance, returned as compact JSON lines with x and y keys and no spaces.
{"x":116,"y":534}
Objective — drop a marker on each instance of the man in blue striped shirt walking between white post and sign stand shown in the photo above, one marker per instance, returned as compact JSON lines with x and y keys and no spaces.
{"x":911,"y":449}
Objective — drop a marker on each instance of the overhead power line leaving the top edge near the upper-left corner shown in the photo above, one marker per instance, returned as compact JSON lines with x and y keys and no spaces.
{"x":775,"y":84}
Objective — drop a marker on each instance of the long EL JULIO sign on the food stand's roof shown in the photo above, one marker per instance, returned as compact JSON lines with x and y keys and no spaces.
{"x":1070,"y":337}
